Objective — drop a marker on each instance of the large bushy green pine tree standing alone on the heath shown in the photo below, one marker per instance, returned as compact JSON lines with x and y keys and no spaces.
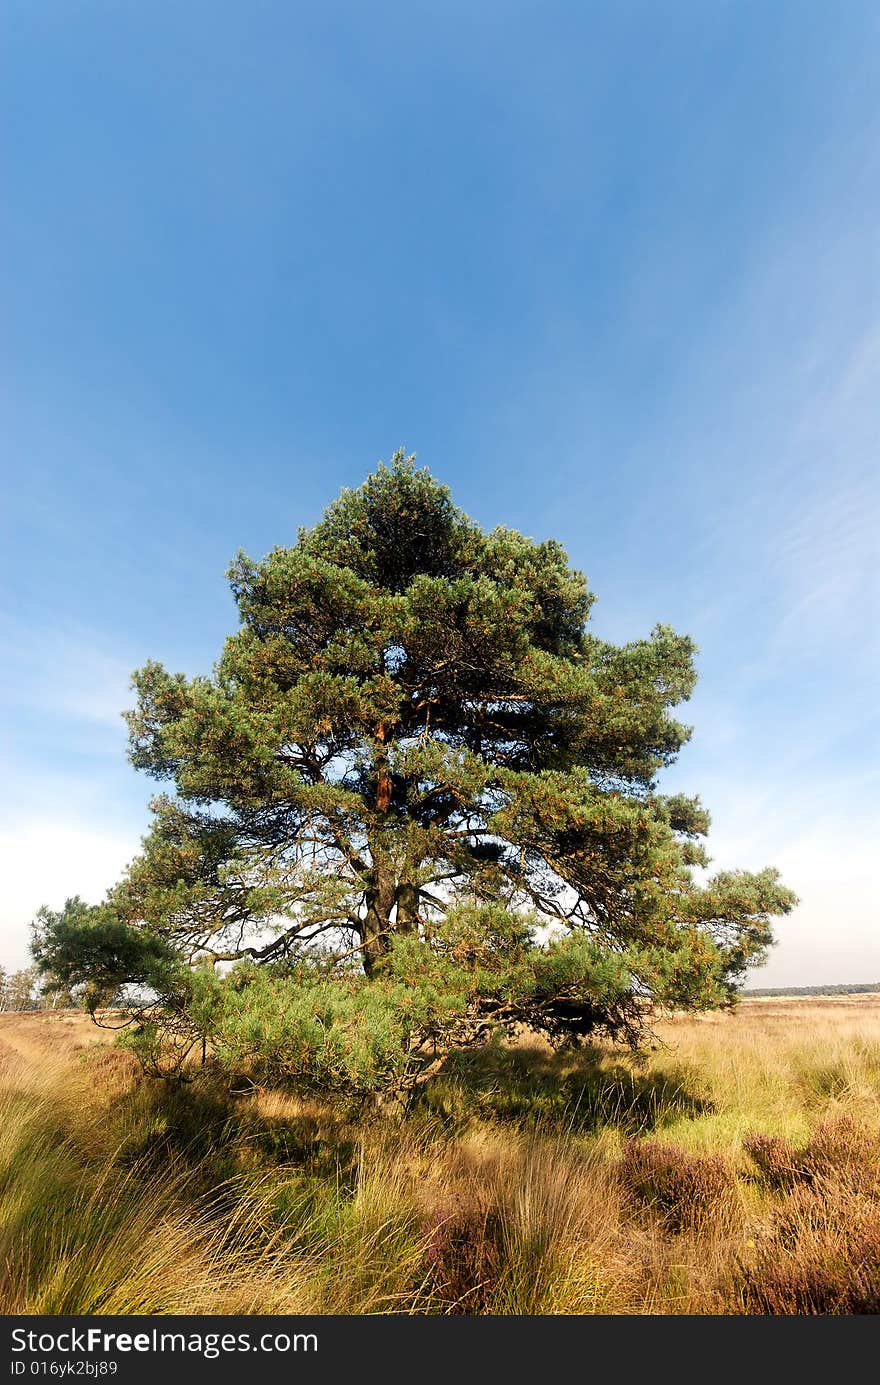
{"x":415,"y":801}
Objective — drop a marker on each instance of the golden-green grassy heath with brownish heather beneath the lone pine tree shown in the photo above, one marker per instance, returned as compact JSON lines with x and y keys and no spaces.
{"x":735,"y":1170}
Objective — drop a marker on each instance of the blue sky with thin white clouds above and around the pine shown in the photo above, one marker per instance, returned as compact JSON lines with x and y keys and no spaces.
{"x":612,"y":271}
